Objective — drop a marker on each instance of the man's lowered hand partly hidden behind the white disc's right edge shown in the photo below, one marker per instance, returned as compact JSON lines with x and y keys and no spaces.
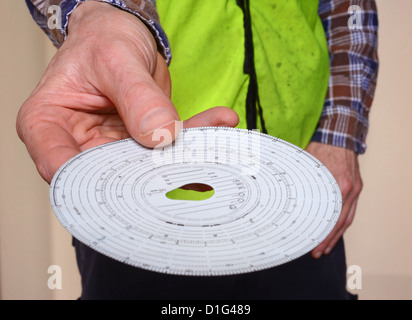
{"x":343,"y":164}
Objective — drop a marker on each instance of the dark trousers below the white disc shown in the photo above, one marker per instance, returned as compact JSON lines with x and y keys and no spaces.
{"x":304,"y":278}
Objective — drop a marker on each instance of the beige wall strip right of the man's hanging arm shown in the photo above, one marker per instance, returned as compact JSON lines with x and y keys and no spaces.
{"x":380,"y":240}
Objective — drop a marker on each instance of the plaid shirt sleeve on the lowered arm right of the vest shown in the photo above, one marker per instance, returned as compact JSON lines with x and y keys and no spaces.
{"x":351,"y":29}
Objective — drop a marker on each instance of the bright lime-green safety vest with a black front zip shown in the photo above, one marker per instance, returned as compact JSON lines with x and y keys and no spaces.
{"x":290,"y":58}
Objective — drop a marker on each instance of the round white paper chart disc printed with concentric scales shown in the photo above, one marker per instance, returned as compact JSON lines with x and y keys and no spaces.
{"x":272,"y":202}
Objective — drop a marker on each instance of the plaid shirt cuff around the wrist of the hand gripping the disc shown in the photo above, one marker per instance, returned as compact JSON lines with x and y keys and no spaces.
{"x":44,"y":12}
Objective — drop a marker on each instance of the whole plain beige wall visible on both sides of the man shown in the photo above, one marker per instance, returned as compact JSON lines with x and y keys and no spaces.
{"x":379,"y":241}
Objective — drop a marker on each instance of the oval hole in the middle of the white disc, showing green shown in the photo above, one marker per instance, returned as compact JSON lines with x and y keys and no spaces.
{"x":192,"y":192}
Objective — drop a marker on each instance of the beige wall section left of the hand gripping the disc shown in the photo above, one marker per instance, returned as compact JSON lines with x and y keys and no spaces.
{"x":30,"y":237}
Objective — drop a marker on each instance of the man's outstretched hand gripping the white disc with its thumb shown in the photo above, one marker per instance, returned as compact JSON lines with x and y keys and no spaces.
{"x":107,"y":82}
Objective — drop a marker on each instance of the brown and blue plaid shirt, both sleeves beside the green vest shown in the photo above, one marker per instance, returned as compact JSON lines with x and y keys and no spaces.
{"x":351,"y":28}
